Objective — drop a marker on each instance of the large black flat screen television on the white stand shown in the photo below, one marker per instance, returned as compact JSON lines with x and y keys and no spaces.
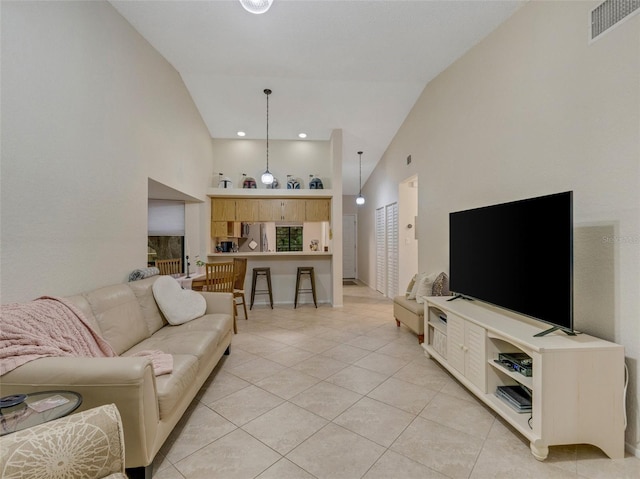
{"x":518,"y":256}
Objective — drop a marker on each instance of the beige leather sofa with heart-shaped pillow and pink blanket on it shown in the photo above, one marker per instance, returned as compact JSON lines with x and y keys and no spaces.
{"x":128,"y":318}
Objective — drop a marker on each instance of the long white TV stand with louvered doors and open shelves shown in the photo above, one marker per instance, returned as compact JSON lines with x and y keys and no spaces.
{"x":577,"y":381}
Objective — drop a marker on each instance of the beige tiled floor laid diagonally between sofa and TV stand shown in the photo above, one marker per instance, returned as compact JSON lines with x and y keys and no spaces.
{"x":344,"y":393}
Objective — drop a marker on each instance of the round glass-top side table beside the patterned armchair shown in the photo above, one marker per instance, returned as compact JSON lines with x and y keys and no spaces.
{"x":38,"y":408}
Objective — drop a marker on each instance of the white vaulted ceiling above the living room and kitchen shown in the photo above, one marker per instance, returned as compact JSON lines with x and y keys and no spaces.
{"x":354,"y":65}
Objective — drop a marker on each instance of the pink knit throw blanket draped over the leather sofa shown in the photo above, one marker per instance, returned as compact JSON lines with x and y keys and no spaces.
{"x":53,"y":327}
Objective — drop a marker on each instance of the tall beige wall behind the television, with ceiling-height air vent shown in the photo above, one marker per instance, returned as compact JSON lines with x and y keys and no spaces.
{"x":534,"y":109}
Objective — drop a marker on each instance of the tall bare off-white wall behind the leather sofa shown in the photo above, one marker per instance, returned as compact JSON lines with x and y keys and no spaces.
{"x":89,"y":111}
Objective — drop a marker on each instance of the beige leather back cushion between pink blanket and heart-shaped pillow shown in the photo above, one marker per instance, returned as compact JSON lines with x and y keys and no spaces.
{"x":118,"y":313}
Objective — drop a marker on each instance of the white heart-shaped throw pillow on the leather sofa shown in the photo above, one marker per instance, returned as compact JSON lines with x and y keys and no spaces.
{"x":178,"y":305}
